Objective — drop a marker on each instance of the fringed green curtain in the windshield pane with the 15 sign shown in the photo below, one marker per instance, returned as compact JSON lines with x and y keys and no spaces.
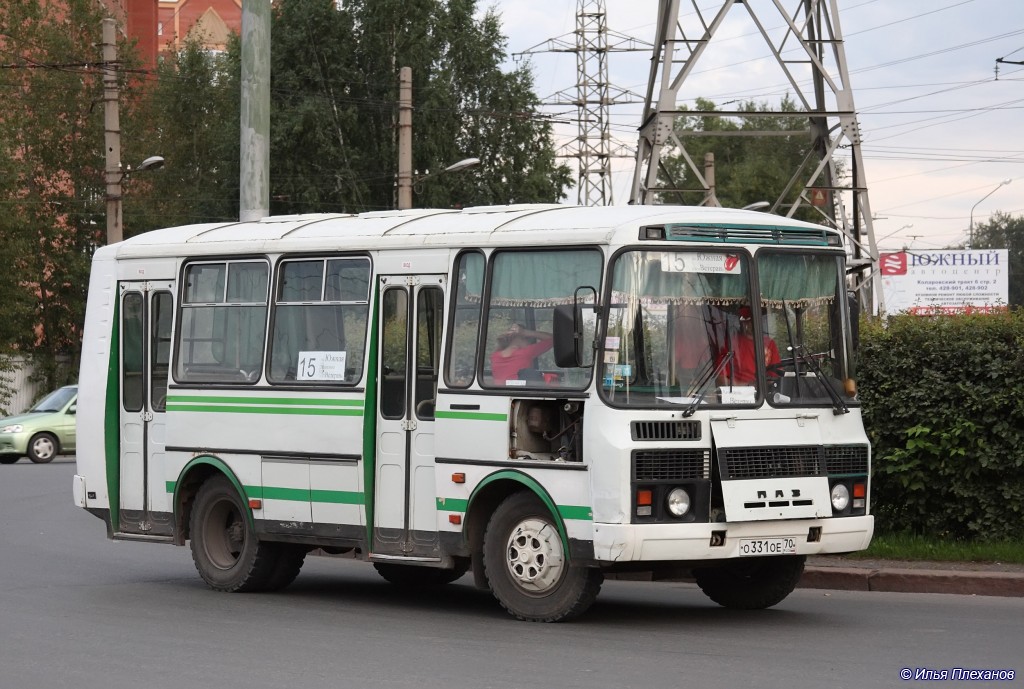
{"x":641,"y":275}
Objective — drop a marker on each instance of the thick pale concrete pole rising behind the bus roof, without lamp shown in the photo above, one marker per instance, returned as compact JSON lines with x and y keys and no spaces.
{"x":254,"y":183}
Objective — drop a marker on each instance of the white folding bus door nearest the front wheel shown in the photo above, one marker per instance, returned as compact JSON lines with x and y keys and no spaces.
{"x":405,"y":502}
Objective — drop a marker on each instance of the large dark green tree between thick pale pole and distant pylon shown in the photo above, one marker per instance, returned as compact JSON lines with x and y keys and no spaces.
{"x":334,"y":116}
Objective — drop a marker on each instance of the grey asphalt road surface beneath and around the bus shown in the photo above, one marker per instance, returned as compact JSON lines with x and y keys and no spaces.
{"x":78,"y":611}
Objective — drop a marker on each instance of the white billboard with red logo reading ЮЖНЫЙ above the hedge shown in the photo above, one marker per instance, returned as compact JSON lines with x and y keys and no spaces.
{"x":949,"y":281}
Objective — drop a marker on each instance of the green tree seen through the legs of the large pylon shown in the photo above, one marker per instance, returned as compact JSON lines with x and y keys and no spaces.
{"x":748,"y":168}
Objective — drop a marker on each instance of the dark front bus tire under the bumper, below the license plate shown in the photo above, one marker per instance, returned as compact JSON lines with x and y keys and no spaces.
{"x":752,"y":585}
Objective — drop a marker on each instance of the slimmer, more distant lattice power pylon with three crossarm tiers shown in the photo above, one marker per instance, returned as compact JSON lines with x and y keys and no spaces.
{"x":593,"y":147}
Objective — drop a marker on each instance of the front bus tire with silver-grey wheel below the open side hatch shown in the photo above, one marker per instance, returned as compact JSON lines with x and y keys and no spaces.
{"x":527,"y":566}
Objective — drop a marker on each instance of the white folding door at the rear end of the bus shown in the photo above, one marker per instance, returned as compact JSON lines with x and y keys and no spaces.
{"x":147,"y":310}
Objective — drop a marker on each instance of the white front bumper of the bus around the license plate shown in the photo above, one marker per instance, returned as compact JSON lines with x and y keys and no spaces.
{"x":661,"y":543}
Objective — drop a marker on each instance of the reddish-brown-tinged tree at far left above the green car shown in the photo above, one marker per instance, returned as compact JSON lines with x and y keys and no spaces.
{"x":52,"y":178}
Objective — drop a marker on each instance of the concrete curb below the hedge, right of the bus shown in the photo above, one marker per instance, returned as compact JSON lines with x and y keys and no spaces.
{"x":915,"y":581}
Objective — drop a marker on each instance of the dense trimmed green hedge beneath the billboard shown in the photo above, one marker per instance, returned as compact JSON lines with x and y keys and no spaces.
{"x":944,"y":403}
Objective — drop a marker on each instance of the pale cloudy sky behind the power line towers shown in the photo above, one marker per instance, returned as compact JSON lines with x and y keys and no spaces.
{"x":942,"y":132}
